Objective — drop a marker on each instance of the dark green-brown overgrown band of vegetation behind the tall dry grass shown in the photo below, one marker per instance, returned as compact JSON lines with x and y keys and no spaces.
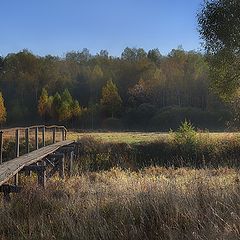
{"x":184,"y":148}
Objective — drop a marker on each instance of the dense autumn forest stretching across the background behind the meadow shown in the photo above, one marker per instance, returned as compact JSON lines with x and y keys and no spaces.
{"x":138,"y":91}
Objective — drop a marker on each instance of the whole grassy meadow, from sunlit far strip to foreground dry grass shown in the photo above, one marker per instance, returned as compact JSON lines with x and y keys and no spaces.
{"x":179,"y":185}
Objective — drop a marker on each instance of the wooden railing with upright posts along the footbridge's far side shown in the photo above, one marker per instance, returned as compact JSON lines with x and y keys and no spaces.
{"x":24,"y":132}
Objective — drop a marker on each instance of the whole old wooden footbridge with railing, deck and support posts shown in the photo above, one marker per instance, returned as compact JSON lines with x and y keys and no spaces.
{"x":39,"y":154}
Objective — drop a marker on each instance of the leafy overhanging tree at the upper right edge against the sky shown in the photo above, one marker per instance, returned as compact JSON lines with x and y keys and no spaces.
{"x":219,"y":27}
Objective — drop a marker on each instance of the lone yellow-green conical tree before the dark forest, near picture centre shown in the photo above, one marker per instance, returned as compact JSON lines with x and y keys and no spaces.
{"x":111,"y":100}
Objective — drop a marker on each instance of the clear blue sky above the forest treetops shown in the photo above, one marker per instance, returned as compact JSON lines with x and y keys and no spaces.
{"x":57,"y":26}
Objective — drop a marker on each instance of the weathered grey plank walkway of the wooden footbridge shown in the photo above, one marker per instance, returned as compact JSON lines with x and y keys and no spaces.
{"x":10,"y":168}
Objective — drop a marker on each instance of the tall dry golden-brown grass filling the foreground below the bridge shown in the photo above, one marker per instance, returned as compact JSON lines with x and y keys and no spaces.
{"x":155,"y":203}
